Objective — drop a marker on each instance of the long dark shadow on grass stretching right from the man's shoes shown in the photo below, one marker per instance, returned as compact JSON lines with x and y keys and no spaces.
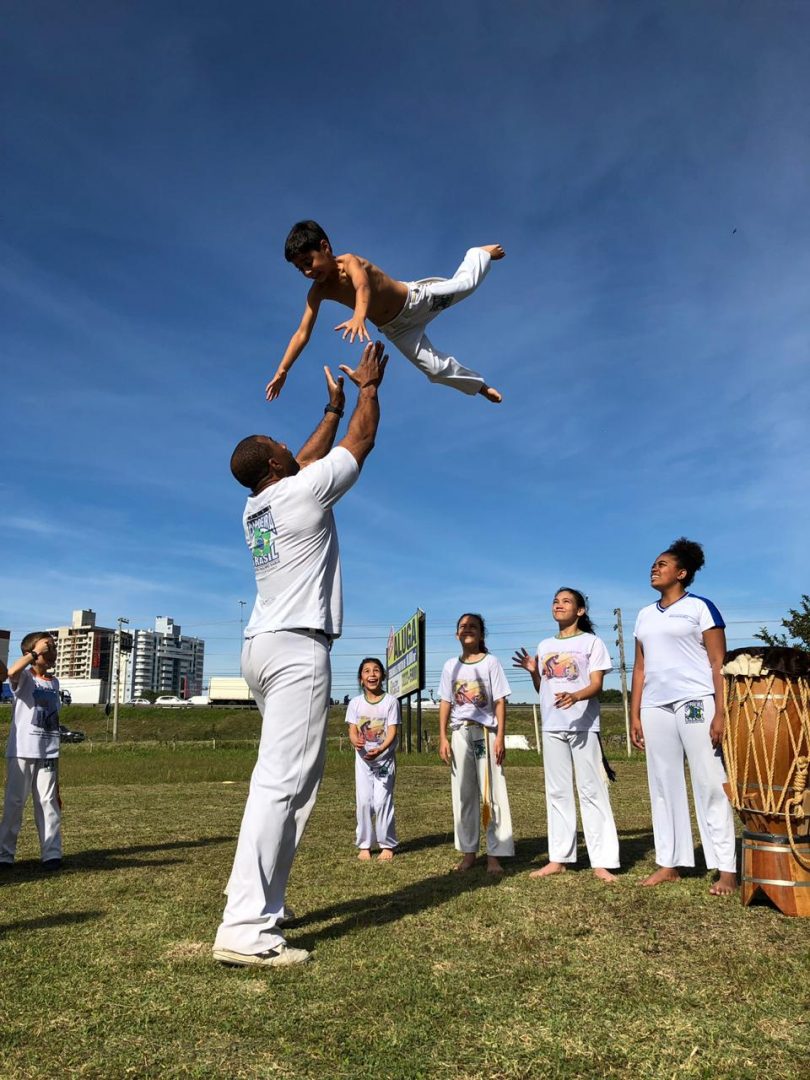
{"x":387,"y":908}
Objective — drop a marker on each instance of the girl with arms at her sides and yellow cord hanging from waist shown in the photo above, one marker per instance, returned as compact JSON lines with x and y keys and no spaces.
{"x":474,"y":693}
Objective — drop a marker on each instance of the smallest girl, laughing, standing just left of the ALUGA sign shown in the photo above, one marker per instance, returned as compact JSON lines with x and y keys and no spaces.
{"x":373,"y":719}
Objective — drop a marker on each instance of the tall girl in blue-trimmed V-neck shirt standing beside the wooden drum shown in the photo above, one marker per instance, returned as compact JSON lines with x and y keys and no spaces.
{"x":677,"y":709}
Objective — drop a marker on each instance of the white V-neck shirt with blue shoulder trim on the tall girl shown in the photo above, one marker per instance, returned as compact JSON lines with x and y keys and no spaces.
{"x":677,"y":666}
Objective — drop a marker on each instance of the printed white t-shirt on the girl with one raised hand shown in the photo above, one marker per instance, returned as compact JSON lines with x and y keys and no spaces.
{"x":565,"y":666}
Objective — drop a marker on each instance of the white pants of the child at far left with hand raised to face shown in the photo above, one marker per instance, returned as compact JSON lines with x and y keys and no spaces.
{"x":26,"y":776}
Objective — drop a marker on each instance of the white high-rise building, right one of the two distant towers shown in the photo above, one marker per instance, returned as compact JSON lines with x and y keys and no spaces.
{"x":166,"y":661}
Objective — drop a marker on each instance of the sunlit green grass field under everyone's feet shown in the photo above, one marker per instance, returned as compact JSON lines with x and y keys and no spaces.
{"x":106,"y":968}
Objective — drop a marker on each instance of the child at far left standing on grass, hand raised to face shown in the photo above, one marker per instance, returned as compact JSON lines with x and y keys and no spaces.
{"x":33,"y":752}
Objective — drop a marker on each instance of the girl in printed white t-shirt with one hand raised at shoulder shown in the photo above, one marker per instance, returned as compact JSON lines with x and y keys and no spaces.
{"x":569,"y":671}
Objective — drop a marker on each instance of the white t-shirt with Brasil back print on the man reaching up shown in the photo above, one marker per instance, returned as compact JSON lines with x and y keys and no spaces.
{"x":290,"y":531}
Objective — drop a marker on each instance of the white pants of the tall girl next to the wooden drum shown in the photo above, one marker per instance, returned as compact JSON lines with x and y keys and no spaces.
{"x":670,"y":732}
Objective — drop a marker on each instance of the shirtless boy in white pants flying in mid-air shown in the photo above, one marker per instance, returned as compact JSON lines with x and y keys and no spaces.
{"x":401,"y":310}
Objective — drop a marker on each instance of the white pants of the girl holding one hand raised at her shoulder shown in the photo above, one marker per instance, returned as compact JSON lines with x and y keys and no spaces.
{"x":566,"y":755}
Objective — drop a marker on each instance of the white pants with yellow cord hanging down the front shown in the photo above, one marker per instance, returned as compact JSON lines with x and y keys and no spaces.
{"x":468,"y":772}
